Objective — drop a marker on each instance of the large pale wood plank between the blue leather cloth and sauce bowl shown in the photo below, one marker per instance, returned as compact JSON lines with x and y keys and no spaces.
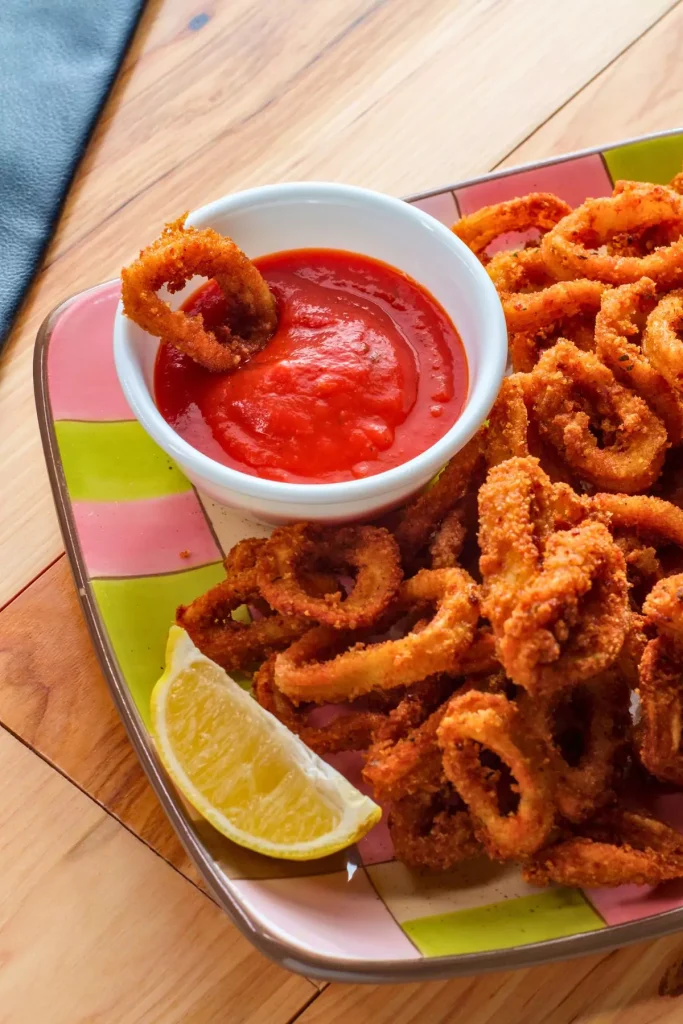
{"x":398,"y":96}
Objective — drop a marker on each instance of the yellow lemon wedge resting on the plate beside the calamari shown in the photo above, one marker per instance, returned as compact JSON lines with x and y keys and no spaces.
{"x":245,"y":773}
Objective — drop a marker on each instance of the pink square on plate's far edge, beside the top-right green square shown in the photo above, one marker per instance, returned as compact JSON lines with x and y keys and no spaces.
{"x":573,"y":181}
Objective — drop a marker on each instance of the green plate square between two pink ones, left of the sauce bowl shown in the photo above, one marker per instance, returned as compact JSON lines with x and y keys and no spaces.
{"x":109,"y":462}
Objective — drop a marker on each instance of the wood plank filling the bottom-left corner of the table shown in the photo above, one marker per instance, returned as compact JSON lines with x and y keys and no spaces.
{"x":95,"y":927}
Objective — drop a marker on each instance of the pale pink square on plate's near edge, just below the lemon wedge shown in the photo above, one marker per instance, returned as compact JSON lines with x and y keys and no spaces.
{"x":336,"y":915}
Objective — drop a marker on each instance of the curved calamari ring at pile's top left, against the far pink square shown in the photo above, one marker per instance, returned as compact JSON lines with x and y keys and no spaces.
{"x":538,"y":210}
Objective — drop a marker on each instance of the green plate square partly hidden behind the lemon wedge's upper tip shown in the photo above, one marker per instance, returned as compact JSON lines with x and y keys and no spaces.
{"x":139,"y":614}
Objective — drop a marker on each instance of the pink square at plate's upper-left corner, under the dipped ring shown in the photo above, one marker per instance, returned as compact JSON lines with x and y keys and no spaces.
{"x":82,"y":379}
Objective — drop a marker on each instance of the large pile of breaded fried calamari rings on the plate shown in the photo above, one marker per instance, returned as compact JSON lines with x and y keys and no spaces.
{"x":508,"y":649}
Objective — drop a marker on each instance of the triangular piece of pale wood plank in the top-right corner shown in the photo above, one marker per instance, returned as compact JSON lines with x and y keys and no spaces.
{"x":638,"y":94}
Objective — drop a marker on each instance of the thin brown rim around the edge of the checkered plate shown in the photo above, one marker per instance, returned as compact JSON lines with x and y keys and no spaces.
{"x":287,"y":954}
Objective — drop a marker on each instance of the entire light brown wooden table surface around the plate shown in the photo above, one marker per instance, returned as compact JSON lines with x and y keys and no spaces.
{"x":102,"y":919}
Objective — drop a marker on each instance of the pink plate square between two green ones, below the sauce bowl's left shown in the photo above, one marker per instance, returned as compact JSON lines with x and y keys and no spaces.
{"x":145,"y":538}
